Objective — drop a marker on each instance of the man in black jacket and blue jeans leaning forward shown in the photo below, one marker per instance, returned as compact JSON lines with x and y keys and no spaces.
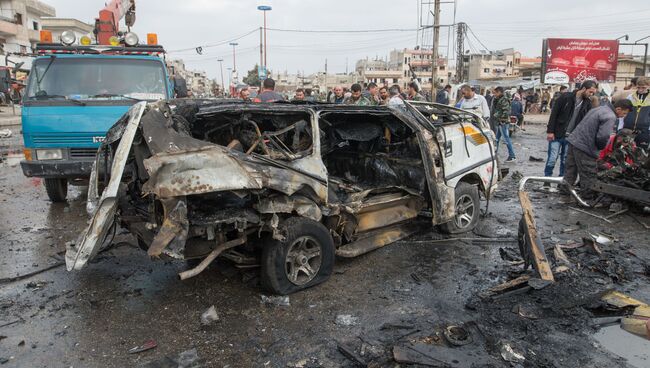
{"x":567,"y":112}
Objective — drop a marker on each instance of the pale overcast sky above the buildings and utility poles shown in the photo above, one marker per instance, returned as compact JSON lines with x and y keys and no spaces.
{"x":496,"y":24}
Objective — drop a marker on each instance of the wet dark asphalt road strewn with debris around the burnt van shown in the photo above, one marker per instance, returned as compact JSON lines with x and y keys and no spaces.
{"x":94,"y":317}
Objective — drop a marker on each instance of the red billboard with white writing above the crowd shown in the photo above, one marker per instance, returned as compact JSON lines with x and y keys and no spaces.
{"x":568,"y":60}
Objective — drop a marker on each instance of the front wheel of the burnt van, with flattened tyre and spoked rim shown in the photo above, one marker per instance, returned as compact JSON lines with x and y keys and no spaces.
{"x":303,"y":259}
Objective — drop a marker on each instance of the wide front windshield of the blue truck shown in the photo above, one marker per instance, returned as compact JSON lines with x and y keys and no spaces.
{"x":91,"y":78}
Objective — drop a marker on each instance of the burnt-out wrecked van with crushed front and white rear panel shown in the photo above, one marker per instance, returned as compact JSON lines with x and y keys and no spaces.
{"x":285,"y":187}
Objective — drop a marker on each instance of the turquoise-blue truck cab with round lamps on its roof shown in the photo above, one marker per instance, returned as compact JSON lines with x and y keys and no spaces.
{"x":74,"y":94}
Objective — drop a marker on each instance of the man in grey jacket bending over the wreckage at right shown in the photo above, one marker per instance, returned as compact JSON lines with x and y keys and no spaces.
{"x":588,"y":139}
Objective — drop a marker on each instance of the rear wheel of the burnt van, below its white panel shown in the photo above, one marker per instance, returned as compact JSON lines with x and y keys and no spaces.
{"x":467,"y":210}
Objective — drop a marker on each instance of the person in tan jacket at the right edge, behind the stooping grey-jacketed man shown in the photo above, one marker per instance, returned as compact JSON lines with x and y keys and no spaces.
{"x":639,"y":120}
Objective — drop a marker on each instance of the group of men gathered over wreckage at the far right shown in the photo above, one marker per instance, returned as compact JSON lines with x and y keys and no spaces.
{"x":589,"y":134}
